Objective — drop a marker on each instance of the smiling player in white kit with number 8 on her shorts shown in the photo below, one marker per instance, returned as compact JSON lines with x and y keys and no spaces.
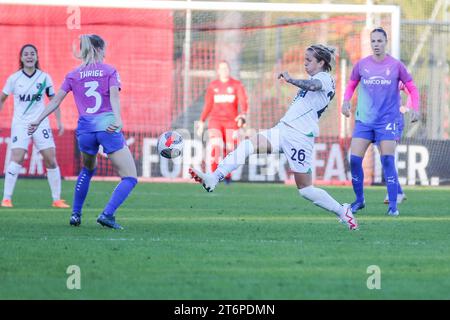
{"x":28,"y":85}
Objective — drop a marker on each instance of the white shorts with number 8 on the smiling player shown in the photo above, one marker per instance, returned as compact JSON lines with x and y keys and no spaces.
{"x":42,"y":137}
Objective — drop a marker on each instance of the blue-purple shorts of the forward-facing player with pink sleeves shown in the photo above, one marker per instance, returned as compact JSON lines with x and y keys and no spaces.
{"x":377,"y":132}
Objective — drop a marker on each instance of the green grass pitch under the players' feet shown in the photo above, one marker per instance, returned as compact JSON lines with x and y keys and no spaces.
{"x":244,"y":241}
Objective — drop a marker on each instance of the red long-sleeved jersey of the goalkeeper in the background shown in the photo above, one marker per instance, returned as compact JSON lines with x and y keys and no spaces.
{"x":222,"y":100}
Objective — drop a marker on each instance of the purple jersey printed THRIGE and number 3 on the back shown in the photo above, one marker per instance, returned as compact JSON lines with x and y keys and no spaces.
{"x":90,"y":86}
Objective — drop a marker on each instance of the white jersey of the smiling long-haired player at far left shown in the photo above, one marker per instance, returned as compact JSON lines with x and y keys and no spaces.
{"x":28,"y":94}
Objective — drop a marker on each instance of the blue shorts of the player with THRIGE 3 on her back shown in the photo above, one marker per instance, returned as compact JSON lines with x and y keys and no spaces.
{"x":90,"y":142}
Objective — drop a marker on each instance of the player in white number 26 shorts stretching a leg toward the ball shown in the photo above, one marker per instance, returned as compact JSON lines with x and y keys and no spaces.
{"x":293,"y":135}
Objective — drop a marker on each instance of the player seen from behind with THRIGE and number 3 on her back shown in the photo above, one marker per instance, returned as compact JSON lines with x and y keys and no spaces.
{"x":96,"y":87}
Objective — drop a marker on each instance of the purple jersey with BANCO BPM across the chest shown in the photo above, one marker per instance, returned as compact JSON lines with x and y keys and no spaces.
{"x":378,"y":94}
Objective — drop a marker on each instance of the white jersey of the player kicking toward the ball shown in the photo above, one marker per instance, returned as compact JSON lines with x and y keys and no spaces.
{"x":304,"y":112}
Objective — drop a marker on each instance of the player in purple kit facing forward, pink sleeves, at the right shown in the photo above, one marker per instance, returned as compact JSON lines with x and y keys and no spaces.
{"x":378,"y":117}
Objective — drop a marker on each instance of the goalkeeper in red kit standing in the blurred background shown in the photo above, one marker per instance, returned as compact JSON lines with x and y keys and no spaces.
{"x":223,"y":97}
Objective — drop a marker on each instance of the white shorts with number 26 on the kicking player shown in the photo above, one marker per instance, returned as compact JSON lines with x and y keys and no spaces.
{"x":296,"y":146}
